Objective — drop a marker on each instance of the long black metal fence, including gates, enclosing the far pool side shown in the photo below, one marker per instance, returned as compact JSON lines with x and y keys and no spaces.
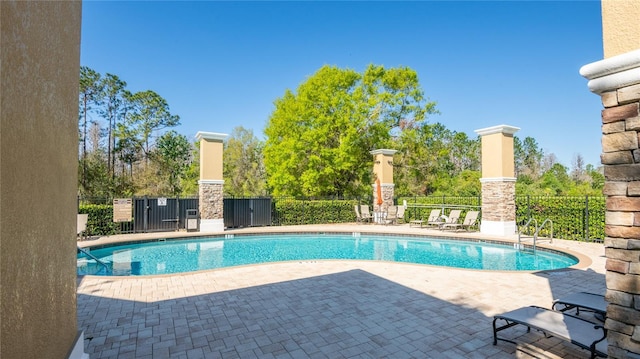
{"x":577,"y":218}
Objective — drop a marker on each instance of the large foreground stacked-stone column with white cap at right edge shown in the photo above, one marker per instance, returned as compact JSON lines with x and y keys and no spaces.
{"x":617,"y":81}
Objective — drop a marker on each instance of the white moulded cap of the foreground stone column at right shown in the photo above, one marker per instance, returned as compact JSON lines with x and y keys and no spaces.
{"x":613,"y":73}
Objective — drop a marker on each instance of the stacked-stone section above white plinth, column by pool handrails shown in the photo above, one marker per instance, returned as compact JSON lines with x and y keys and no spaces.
{"x":499,"y":201}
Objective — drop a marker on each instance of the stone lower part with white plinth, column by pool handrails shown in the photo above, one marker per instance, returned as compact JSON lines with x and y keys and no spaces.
{"x":498,"y":206}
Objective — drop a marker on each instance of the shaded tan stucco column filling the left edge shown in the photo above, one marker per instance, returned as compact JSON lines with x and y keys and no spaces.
{"x":39,"y":75}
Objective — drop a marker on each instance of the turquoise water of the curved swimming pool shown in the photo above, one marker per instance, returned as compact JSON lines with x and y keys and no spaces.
{"x":188,"y":255}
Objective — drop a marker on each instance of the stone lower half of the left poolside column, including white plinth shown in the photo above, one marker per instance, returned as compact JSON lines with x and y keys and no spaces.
{"x":211,"y":202}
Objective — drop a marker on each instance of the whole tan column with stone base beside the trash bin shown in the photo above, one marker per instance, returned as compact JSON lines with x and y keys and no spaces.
{"x":211,"y":181}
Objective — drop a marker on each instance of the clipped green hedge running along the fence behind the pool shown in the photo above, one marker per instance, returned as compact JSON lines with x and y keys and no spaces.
{"x":575,"y":218}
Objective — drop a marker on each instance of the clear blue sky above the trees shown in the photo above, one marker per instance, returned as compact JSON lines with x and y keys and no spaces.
{"x":222,"y":64}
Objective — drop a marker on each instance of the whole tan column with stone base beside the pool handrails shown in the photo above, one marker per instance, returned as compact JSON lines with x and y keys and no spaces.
{"x":498,"y":181}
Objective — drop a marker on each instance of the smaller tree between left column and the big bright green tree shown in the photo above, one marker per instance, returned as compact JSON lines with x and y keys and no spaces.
{"x":244,"y":171}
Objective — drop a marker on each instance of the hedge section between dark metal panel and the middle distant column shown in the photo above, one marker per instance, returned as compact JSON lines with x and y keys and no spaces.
{"x":295,"y":211}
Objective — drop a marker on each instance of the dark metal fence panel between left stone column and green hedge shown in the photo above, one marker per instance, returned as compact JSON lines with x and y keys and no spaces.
{"x":247,"y":212}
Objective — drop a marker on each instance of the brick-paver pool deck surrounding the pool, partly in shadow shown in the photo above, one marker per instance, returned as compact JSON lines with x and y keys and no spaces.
{"x":326,"y":309}
